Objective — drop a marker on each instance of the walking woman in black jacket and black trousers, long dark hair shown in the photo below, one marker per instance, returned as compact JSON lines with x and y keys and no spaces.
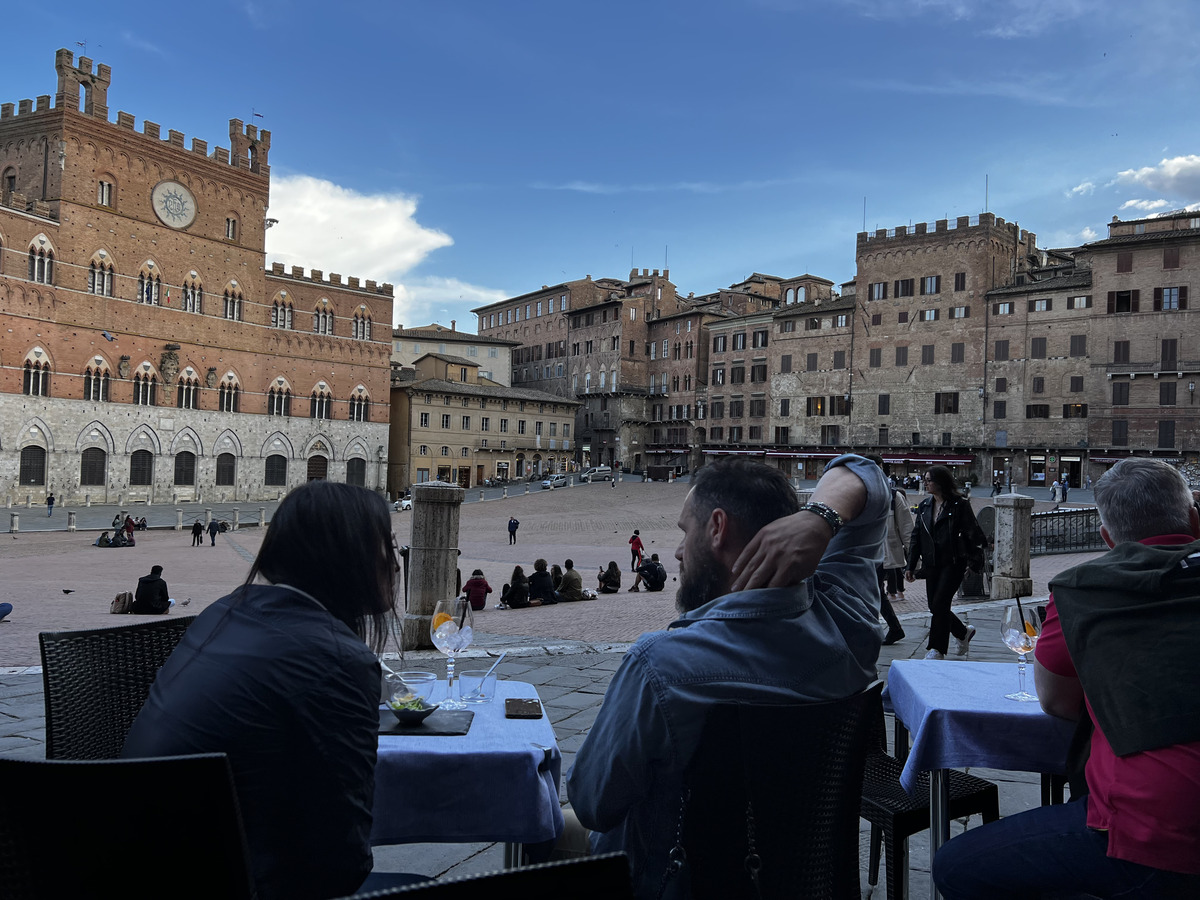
{"x":946,"y":541}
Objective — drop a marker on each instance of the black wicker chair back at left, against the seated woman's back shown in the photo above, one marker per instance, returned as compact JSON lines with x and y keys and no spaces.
{"x":95,"y":683}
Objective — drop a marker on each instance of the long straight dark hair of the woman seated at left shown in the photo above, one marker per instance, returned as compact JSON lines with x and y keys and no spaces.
{"x":335,"y":542}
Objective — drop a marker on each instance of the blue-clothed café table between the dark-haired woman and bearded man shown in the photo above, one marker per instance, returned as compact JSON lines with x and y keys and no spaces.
{"x":497,"y":783}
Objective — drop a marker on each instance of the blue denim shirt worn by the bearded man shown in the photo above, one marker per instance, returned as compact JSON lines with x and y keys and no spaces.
{"x":815,"y":641}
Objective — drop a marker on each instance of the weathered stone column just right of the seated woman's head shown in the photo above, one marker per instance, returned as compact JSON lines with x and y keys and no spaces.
{"x":434,"y":557}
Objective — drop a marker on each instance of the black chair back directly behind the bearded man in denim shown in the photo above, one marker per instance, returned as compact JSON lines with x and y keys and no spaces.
{"x":776,"y":789}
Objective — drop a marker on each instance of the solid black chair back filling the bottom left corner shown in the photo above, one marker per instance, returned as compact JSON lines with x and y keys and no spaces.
{"x":129,"y":829}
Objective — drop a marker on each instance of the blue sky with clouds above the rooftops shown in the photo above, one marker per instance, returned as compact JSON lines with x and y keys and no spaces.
{"x":470,"y":151}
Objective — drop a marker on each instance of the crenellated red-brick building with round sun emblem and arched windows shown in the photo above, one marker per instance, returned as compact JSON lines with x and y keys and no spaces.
{"x":151,"y":356}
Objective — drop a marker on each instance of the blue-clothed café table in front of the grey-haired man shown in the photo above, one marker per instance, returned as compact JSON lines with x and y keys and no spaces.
{"x":958,"y":716}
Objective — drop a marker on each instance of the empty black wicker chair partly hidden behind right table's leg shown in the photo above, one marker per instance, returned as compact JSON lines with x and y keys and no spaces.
{"x":896,"y":815}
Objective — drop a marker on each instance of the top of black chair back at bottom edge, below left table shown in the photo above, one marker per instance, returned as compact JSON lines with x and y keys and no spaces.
{"x":603,"y":878}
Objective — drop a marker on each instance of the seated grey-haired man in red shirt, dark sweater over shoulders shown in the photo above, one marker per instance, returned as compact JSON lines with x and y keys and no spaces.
{"x":1118,"y":655}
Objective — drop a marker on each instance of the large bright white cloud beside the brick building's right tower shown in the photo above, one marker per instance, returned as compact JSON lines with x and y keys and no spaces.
{"x":333,"y":229}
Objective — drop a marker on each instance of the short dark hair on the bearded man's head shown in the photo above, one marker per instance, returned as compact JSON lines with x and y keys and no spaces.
{"x":752,"y":494}
